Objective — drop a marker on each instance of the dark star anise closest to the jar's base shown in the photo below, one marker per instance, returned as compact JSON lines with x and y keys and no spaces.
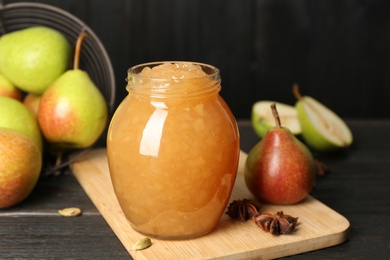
{"x":243,"y":209}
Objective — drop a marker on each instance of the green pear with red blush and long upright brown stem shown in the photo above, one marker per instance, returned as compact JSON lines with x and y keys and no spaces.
{"x":72,"y":111}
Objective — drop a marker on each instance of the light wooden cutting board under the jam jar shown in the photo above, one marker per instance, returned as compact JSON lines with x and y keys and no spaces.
{"x":318,"y":225}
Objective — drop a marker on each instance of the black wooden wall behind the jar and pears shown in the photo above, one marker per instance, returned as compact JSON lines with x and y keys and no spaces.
{"x":338,"y":51}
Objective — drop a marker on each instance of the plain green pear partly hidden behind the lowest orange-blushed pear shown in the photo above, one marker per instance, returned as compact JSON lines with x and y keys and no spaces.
{"x":14,"y":115}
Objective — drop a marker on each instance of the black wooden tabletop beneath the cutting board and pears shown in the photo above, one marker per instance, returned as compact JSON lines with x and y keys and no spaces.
{"x":357,"y":186}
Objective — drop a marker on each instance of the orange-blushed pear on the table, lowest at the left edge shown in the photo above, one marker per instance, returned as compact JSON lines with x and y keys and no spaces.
{"x":20,"y":167}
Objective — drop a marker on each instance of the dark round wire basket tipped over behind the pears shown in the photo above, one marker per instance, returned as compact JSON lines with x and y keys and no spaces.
{"x":93,"y":59}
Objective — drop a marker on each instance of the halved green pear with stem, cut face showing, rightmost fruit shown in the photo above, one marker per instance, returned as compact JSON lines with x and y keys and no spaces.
{"x":322,"y":129}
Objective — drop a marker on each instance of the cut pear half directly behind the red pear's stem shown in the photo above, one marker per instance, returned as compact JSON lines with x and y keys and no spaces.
{"x":263,"y":119}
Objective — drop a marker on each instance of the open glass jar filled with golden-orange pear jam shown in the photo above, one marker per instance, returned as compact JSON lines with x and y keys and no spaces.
{"x":173,"y":149}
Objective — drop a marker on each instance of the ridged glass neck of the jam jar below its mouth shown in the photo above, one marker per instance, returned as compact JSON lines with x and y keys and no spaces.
{"x":172,"y":86}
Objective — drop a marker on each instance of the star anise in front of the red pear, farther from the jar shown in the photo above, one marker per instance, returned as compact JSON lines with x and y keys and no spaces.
{"x":276,"y":224}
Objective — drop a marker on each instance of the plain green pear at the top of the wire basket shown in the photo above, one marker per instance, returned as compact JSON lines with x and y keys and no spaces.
{"x":34,"y":57}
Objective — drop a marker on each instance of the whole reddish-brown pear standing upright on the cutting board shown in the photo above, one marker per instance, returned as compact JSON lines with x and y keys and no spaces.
{"x":279,"y":169}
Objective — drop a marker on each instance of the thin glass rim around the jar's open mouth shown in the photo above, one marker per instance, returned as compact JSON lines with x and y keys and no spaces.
{"x":210,"y":70}
